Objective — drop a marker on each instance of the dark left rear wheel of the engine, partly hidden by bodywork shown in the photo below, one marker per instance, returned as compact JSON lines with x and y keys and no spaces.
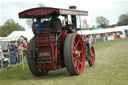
{"x":31,"y":57}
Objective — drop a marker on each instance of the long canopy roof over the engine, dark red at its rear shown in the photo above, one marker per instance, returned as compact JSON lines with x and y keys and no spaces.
{"x":46,"y":11}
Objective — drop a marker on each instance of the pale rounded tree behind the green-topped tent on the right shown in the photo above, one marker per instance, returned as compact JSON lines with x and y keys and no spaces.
{"x":101,"y":21}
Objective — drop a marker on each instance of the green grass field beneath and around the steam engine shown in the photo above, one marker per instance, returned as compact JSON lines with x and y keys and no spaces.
{"x":111,"y":68}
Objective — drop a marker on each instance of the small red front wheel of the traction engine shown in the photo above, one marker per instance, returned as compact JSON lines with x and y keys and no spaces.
{"x":91,"y":60}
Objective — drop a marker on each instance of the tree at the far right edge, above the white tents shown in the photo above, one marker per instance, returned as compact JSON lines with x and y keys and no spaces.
{"x":123,"y":19}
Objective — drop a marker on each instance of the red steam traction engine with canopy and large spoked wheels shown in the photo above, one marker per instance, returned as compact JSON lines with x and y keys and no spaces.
{"x":51,"y":50}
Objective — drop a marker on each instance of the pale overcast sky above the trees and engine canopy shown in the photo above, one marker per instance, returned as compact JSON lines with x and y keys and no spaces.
{"x":110,"y":9}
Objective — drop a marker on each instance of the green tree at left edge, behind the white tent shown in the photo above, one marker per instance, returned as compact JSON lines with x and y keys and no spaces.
{"x":9,"y":26}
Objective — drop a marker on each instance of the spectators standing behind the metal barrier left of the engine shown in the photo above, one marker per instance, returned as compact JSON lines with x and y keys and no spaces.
{"x":16,"y":52}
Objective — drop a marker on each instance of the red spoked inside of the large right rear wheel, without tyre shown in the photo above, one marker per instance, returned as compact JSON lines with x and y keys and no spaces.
{"x":78,"y":54}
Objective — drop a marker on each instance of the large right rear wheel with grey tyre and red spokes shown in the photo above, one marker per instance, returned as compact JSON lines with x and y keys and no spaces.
{"x":74,"y":54}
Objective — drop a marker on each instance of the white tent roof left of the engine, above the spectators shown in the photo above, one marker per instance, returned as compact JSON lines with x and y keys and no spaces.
{"x":15,"y":35}
